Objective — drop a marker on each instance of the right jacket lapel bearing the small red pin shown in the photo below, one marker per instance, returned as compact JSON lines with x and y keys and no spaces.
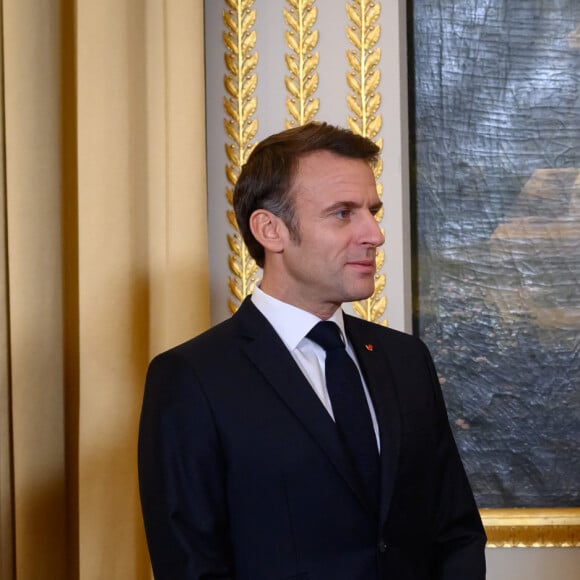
{"x":375,"y":367}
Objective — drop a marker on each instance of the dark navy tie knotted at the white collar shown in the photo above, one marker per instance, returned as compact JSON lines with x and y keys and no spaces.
{"x":349,"y":405}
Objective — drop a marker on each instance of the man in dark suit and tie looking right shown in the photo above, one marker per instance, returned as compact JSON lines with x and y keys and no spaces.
{"x":292,"y":441}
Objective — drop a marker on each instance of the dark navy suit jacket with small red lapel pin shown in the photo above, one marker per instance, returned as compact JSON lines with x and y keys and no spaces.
{"x":242,"y":475}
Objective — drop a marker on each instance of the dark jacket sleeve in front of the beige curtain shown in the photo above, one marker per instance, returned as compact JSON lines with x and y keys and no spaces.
{"x":182,"y":476}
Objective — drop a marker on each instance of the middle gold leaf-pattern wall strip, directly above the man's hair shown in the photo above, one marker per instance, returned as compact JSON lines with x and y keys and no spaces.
{"x":301,"y":63}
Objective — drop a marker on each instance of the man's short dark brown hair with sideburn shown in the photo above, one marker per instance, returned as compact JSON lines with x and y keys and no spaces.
{"x":266,"y":179}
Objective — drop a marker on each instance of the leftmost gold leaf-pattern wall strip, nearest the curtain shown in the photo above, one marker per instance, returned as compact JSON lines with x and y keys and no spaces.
{"x":240,"y":104}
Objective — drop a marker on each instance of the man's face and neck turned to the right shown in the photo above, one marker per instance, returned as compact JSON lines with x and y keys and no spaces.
{"x":332,"y":260}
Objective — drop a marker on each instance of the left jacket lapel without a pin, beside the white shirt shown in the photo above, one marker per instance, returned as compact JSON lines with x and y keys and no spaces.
{"x":270,"y":356}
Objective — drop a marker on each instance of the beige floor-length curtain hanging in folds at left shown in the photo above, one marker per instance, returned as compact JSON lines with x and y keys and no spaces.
{"x":103,"y":264}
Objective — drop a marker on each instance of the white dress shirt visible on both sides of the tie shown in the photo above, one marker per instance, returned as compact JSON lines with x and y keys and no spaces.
{"x":292,"y":324}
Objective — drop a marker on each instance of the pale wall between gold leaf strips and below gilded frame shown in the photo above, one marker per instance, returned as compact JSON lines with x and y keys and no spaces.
{"x":503,"y":563}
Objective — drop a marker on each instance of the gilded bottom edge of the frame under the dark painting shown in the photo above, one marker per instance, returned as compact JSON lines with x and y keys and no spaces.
{"x":532,"y":528}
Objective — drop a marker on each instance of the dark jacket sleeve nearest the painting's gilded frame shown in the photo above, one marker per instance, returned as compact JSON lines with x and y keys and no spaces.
{"x":460,"y":535}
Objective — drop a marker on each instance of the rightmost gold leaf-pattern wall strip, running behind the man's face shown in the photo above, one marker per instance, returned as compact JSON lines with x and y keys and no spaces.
{"x":364,"y":101}
